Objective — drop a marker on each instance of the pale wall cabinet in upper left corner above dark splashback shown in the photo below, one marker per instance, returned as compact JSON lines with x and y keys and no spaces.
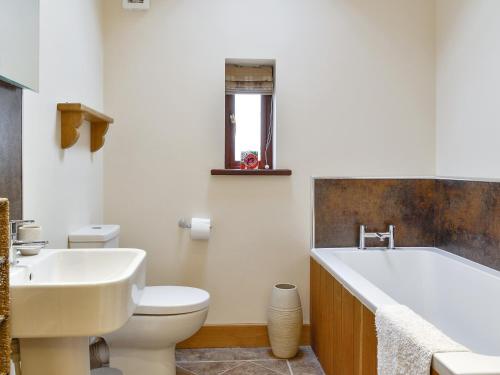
{"x":19,"y":41}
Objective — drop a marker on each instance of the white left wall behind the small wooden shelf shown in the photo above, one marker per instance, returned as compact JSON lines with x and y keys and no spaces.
{"x":63,"y":189}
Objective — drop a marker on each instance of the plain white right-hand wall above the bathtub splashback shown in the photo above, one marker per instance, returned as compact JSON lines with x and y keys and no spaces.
{"x":468,"y":88}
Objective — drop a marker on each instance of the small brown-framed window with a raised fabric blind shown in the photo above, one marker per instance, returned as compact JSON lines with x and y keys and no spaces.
{"x":249,"y":114}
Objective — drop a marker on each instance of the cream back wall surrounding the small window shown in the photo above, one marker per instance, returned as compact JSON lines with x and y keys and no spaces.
{"x":355,"y":96}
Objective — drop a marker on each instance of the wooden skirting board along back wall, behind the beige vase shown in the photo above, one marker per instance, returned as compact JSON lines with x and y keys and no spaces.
{"x":235,"y":336}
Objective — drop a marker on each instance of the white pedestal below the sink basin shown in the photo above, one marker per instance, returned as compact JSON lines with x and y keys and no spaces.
{"x":55,"y":356}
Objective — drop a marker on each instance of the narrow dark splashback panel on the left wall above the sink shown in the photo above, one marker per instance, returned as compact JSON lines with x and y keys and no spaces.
{"x":11,"y":147}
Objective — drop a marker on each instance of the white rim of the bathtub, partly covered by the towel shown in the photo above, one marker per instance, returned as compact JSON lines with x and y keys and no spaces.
{"x":462,"y":363}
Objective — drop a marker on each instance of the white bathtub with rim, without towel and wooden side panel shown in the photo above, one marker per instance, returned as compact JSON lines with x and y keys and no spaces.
{"x":460,"y":297}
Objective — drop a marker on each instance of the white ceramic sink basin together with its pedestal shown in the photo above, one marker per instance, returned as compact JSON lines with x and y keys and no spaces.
{"x":61,"y":297}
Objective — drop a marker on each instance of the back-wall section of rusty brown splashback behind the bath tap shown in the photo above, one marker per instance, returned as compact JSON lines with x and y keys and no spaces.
{"x":341,"y":205}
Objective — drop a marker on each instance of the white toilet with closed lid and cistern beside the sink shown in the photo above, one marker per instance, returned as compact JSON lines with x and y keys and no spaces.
{"x":165,"y":316}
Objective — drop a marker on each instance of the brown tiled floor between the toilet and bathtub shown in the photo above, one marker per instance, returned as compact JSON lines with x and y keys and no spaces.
{"x":243,"y":361}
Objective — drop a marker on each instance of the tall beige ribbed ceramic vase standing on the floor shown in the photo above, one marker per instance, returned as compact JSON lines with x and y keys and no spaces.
{"x":285,"y":320}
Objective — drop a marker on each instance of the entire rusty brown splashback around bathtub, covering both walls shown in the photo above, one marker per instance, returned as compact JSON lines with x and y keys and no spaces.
{"x":462,"y":217}
